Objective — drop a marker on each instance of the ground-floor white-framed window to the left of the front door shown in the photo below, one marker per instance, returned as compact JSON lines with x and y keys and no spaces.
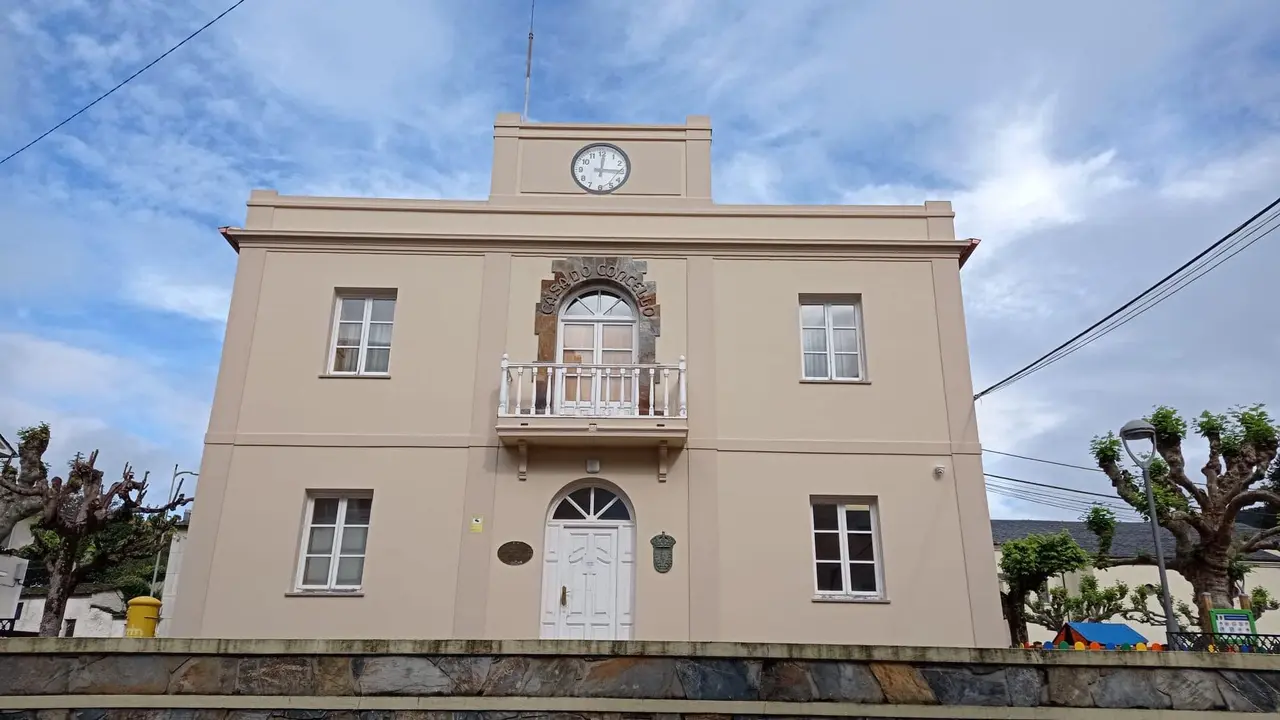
{"x":333,"y":545}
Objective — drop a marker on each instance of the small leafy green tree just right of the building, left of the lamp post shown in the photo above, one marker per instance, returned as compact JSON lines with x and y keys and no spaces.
{"x":1027,"y":566}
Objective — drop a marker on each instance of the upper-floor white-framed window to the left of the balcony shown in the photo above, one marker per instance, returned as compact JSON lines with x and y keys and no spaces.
{"x":363,"y":335}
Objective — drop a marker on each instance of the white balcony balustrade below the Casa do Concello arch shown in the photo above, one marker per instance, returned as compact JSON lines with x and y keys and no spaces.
{"x":566,"y":390}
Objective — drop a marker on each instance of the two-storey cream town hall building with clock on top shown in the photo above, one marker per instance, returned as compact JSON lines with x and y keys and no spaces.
{"x":595,"y":405}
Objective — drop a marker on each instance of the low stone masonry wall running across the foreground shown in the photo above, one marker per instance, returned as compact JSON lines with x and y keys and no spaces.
{"x":491,"y":681}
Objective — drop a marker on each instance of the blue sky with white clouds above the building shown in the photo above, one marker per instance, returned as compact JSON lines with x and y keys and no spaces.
{"x":1092,"y":147}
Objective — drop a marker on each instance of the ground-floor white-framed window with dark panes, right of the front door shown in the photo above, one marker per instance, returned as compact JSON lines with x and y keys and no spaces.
{"x":847,"y":557}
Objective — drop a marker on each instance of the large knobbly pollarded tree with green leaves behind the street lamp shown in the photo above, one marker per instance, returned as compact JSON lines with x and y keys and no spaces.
{"x":1208,"y":545}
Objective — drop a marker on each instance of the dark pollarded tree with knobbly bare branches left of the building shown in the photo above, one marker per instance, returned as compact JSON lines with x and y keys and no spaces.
{"x":85,"y":527}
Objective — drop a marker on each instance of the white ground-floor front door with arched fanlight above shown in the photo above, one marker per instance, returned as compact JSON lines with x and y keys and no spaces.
{"x":589,"y":566}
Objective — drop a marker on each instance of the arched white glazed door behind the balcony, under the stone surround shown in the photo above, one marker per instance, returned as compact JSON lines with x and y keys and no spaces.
{"x":598,"y":331}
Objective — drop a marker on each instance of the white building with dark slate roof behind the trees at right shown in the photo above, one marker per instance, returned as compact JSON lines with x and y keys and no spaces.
{"x":1131,"y":541}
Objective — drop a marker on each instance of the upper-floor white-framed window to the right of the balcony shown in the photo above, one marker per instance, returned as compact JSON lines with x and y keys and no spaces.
{"x":830,"y":341}
